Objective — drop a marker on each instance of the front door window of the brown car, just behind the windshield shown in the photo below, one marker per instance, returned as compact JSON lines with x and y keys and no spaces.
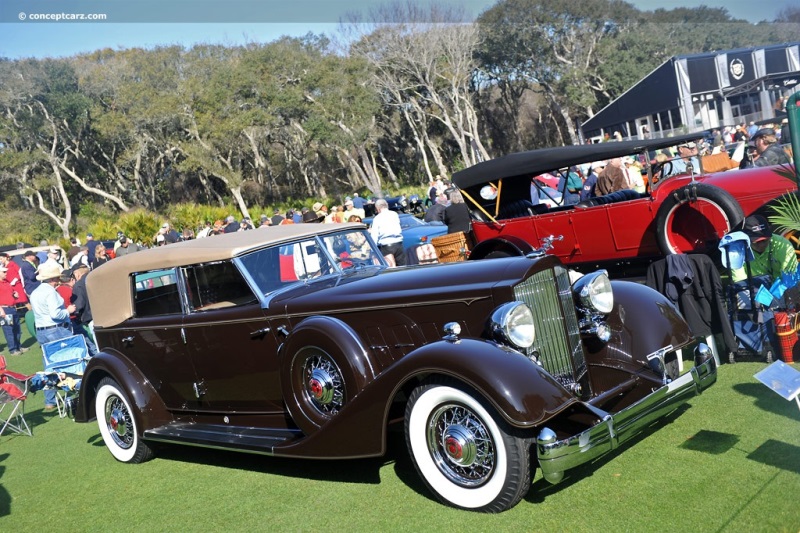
{"x":216,"y":285}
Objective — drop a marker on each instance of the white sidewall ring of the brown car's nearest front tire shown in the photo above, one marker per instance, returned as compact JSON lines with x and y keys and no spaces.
{"x":467,"y":498}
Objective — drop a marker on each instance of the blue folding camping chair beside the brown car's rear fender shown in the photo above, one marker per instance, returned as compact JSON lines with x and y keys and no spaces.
{"x":64,"y":363}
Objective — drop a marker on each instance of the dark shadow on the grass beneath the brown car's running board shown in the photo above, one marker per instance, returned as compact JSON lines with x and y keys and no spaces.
{"x":365,"y":471}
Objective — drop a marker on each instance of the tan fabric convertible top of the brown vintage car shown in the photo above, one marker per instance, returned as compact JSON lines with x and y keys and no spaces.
{"x":109,"y":286}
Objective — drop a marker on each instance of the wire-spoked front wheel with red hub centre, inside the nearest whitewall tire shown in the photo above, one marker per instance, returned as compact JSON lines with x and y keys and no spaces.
{"x":461,"y":446}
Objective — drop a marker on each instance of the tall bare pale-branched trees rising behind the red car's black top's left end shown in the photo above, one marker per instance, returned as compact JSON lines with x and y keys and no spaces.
{"x":423,"y":68}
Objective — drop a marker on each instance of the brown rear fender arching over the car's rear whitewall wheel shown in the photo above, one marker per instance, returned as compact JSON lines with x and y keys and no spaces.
{"x":150,"y":410}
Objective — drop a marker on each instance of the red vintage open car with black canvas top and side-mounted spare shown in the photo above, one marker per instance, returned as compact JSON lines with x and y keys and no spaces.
{"x":623,"y":231}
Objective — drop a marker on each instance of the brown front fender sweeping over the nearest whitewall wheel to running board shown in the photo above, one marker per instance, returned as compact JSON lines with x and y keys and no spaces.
{"x":521,"y":391}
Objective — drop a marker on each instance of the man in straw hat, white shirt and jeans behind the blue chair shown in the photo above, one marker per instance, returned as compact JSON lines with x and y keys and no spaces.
{"x":49,"y":314}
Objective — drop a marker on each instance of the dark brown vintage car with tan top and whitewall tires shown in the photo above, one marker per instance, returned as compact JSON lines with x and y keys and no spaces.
{"x":298,"y":341}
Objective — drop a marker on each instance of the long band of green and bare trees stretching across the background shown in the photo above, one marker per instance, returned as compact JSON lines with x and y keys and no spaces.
{"x":417,"y":95}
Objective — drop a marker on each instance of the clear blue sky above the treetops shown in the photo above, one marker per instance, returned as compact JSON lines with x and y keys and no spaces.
{"x":149,"y":23}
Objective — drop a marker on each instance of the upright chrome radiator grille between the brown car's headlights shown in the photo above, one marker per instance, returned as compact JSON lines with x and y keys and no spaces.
{"x":558,"y":343}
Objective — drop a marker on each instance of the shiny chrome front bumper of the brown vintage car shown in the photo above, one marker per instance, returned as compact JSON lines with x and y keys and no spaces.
{"x":557,"y":456}
